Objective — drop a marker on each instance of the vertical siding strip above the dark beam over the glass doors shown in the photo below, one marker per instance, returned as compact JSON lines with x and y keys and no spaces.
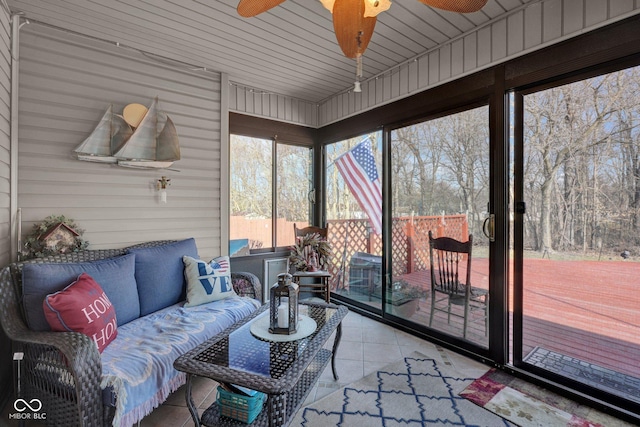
{"x":533,"y":27}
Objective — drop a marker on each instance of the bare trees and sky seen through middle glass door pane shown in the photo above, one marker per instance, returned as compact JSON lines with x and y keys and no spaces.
{"x":442,"y":165}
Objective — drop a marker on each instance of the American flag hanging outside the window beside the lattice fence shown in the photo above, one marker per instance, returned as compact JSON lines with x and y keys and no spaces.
{"x":358,"y":168}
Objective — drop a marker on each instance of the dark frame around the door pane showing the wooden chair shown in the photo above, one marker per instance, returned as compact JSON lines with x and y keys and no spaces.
{"x":496,"y":353}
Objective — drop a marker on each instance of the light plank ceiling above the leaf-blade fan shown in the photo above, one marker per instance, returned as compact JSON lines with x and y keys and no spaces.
{"x":290,"y":50}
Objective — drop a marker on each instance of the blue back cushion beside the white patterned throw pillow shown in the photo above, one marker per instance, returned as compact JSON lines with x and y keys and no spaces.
{"x":160,"y":274}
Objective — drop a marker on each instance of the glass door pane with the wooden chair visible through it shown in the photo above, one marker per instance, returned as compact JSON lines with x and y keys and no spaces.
{"x":440,"y":186}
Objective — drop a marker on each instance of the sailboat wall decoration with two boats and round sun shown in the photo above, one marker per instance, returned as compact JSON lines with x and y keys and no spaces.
{"x":154,"y":143}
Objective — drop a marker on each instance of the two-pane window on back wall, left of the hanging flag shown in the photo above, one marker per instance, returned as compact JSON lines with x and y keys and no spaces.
{"x":269,"y":186}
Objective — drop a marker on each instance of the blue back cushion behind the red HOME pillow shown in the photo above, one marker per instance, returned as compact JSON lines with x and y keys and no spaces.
{"x":115,"y":276}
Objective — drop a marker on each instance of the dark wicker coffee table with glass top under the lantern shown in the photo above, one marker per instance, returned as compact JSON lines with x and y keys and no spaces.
{"x":285,"y":371}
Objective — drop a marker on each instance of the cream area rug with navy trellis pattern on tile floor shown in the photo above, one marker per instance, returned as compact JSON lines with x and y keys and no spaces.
{"x":416,"y":391}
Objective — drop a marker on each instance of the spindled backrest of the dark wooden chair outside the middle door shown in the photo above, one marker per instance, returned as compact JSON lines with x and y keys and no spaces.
{"x":447,"y":256}
